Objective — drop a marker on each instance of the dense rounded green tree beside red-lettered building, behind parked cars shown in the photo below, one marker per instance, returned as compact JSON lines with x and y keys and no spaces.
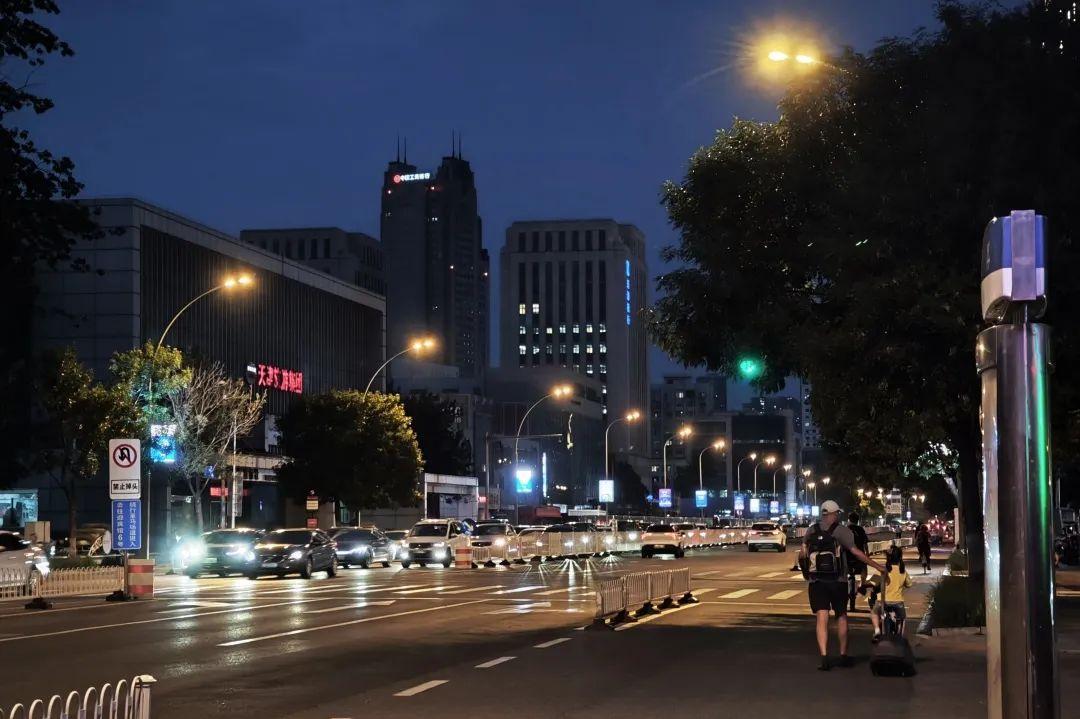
{"x":347,"y":447}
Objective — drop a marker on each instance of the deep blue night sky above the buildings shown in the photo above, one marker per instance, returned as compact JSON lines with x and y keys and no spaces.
{"x":260,"y":115}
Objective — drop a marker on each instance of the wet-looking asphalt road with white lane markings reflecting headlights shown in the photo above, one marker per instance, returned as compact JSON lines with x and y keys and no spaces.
{"x":488,"y":643}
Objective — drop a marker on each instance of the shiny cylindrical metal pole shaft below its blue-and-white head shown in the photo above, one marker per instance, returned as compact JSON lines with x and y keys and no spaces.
{"x":1022,"y":662}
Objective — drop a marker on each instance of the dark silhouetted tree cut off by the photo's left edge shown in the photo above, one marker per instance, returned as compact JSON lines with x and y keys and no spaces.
{"x":37,"y":228}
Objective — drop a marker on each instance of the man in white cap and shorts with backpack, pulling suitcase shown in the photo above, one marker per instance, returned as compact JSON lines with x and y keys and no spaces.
{"x":823,"y":559}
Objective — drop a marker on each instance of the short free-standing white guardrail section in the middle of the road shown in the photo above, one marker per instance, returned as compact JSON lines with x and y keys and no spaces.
{"x":638,"y":594}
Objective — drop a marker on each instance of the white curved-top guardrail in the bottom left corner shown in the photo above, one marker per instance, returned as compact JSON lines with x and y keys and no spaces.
{"x":127,"y":700}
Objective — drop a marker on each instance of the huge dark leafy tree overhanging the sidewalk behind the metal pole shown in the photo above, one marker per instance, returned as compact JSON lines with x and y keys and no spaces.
{"x":842,"y":242}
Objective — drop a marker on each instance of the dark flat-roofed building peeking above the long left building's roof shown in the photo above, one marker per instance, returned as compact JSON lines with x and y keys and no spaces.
{"x":353,"y":257}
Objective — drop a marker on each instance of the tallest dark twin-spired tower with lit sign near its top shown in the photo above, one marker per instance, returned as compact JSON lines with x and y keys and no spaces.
{"x":437,"y":268}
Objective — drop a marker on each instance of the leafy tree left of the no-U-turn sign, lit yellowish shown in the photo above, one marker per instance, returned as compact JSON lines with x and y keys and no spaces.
{"x":74,"y":420}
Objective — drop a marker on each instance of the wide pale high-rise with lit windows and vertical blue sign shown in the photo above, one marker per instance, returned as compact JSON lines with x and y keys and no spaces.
{"x":572,"y":296}
